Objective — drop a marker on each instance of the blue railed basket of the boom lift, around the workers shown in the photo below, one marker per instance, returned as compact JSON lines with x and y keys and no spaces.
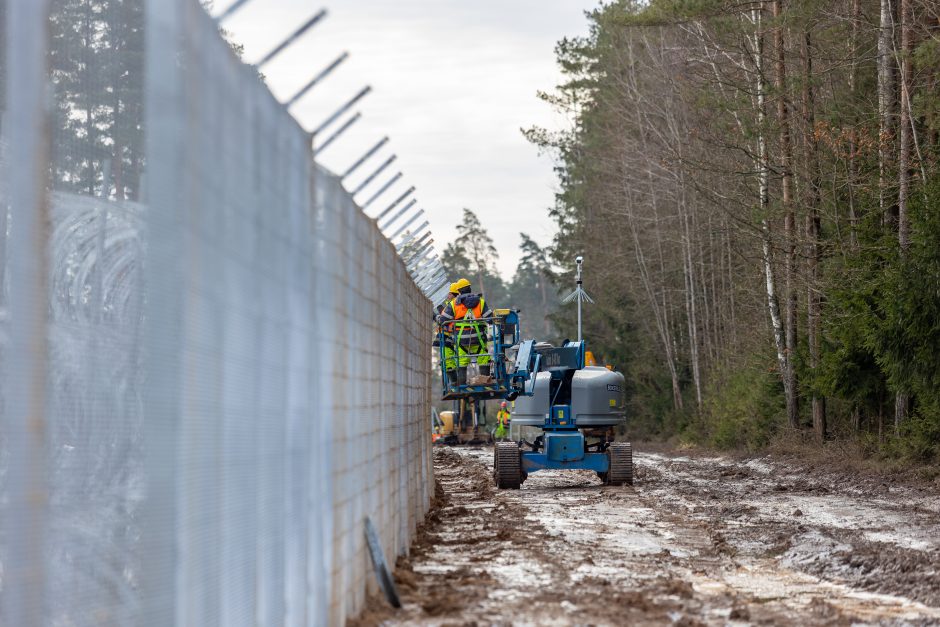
{"x":500,"y":341}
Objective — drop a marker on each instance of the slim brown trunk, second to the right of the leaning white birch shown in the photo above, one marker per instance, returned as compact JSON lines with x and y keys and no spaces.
{"x":813,"y":298}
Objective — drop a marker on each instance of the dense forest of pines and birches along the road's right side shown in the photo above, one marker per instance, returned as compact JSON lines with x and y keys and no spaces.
{"x":756,"y":186}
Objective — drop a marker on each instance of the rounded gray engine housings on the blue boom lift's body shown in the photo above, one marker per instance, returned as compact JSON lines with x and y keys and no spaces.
{"x":597,"y":399}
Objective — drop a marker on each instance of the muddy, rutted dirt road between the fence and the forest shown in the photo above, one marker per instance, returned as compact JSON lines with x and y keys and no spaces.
{"x":695,"y":541}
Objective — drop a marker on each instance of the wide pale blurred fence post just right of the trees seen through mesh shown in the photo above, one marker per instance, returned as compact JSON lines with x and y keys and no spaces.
{"x":160,"y":589}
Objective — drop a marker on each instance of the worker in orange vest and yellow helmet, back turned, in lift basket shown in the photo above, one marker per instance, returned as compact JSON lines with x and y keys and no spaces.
{"x":469,"y":338}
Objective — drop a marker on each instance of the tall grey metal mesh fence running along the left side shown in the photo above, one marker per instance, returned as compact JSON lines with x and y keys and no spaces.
{"x":214,"y":365}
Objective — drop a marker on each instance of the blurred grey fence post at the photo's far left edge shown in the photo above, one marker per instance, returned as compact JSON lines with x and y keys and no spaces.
{"x":26,"y":579}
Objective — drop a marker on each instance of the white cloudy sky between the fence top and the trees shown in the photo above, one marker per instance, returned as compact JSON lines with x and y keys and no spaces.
{"x":454,"y":82}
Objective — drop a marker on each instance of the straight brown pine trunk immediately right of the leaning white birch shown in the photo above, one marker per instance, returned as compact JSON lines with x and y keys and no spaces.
{"x":789,"y":218}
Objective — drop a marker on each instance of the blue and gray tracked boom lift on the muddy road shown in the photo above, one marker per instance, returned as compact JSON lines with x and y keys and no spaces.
{"x":575,"y":405}
